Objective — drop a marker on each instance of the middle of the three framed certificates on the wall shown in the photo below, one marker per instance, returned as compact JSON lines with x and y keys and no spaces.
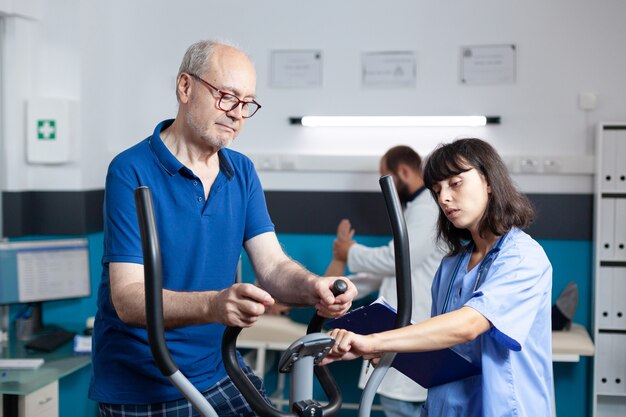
{"x":389,"y":69}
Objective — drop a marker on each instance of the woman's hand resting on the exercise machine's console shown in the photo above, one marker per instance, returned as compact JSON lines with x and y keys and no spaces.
{"x":350,"y":346}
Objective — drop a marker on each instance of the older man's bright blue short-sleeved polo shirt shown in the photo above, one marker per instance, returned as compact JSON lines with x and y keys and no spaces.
{"x":200,"y":244}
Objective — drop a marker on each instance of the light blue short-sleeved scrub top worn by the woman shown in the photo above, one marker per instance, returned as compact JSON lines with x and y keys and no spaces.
{"x":516,"y":353}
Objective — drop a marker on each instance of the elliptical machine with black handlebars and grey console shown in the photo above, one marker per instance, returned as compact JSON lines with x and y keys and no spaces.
{"x":301,"y":358}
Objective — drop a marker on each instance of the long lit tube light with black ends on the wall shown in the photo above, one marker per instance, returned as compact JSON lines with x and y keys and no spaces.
{"x":394,"y":121}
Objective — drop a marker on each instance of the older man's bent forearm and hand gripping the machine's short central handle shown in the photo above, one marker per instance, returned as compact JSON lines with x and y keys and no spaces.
{"x":290,"y":283}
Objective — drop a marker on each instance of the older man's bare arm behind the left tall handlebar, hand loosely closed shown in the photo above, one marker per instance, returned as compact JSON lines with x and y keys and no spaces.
{"x":239,"y":305}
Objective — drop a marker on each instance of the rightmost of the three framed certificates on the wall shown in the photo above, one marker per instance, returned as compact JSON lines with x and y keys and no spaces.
{"x":490,"y":64}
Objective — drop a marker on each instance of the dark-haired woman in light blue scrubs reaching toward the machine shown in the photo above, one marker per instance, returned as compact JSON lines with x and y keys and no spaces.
{"x":491,"y":294}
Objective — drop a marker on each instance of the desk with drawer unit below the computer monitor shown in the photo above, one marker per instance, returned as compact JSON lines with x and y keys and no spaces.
{"x":19,"y":386}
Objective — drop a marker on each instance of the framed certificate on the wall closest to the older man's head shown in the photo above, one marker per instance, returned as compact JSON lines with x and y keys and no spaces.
{"x":296,"y":69}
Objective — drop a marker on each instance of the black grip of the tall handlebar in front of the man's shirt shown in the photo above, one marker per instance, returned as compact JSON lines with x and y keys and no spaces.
{"x":153,"y":281}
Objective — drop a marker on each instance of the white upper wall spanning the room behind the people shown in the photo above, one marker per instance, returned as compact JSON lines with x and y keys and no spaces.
{"x":120,"y":58}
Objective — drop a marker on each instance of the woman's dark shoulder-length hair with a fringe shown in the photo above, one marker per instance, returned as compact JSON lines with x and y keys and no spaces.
{"x":506,"y":208}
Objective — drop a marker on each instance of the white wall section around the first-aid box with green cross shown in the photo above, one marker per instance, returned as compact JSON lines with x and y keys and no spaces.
{"x":40,"y":58}
